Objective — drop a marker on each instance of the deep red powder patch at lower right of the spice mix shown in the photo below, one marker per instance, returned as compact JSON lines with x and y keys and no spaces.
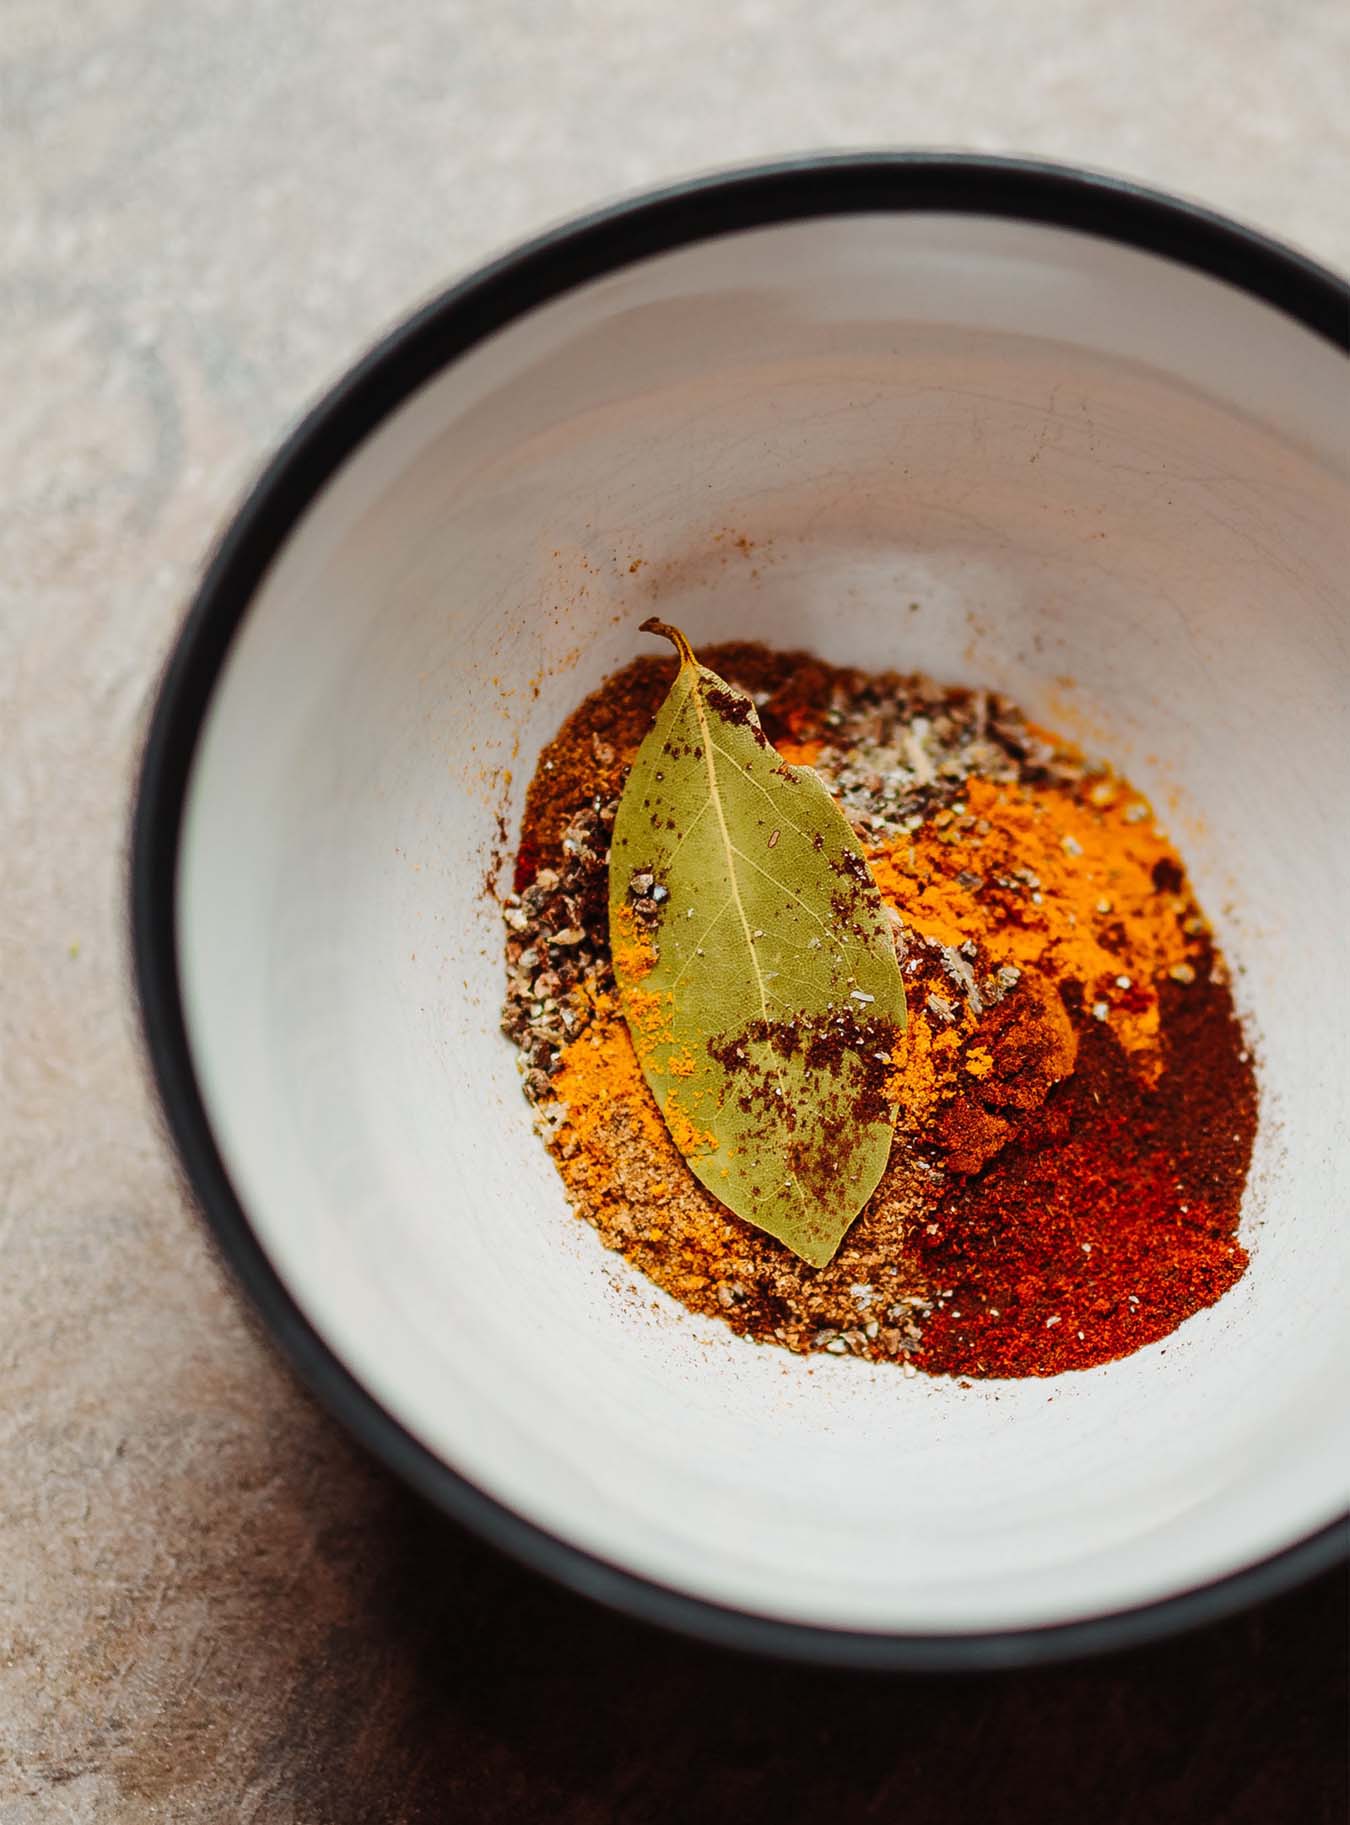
{"x":1112,"y":1216}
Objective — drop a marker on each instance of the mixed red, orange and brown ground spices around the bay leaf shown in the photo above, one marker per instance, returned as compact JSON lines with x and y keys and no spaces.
{"x":1075,"y":1100}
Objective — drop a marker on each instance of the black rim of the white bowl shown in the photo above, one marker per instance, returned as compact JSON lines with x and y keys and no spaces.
{"x":421,"y":348}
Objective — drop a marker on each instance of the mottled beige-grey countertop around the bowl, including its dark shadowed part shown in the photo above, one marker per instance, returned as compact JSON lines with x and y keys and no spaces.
{"x":211,"y":1605}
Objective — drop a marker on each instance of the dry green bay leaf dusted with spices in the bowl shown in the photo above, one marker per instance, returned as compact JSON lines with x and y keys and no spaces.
{"x":756,"y":966}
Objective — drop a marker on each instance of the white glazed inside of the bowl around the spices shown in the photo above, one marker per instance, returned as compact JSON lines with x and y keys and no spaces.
{"x":1116,"y":490}
